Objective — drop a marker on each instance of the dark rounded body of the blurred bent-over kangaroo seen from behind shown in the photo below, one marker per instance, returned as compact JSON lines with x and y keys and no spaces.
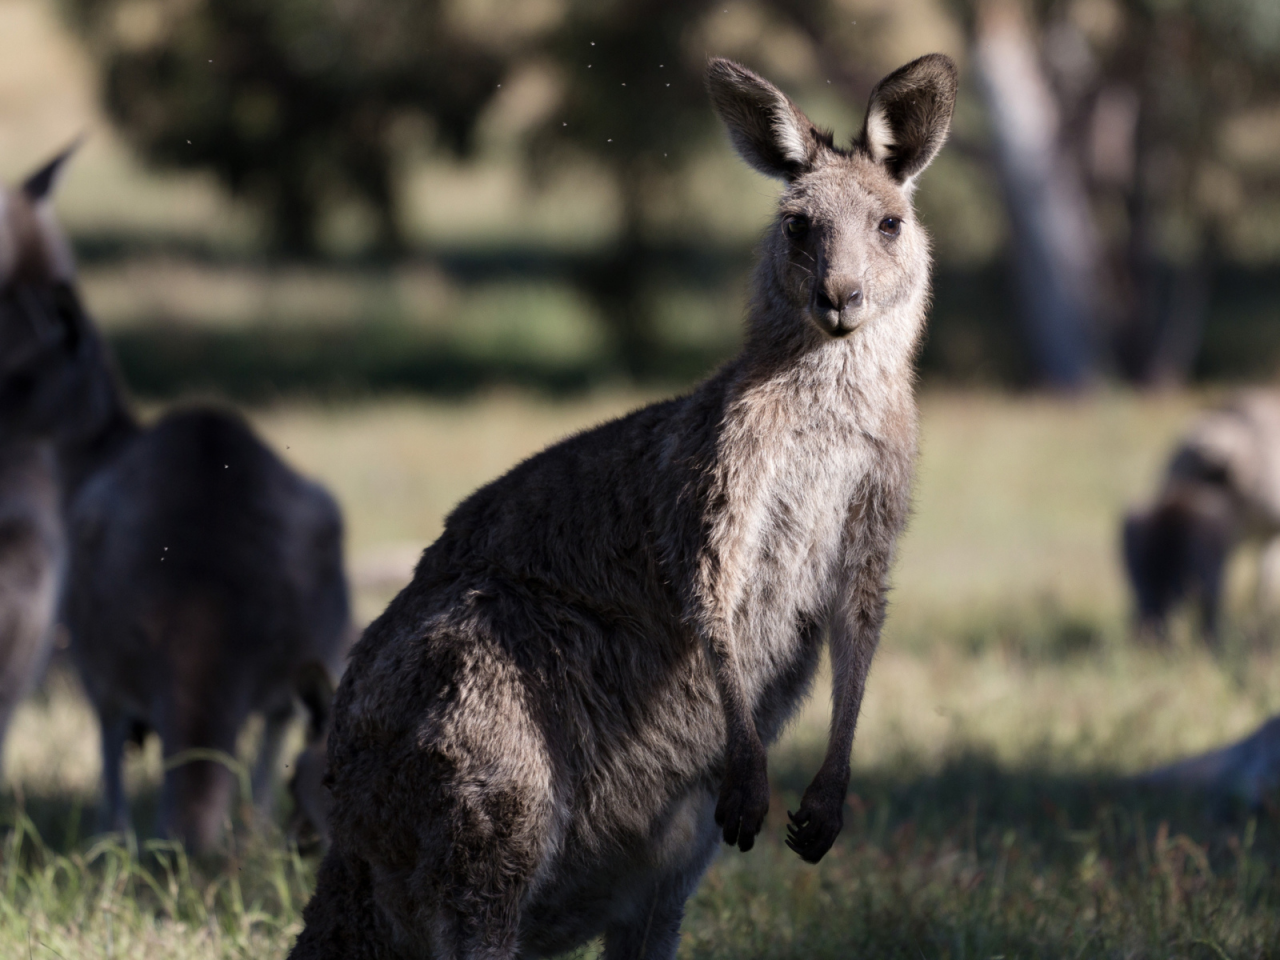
{"x":205,"y":572}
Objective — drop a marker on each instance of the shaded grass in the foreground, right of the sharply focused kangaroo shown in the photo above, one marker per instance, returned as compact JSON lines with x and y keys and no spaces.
{"x":977,"y":861}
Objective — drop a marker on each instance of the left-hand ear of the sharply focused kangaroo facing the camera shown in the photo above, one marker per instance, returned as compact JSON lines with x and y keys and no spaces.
{"x":769,"y":131}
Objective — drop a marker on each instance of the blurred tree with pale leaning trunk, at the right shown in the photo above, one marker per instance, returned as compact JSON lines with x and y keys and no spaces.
{"x":1122,"y":112}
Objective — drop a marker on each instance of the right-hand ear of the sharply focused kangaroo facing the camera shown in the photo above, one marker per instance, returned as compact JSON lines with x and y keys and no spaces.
{"x":909,"y":116}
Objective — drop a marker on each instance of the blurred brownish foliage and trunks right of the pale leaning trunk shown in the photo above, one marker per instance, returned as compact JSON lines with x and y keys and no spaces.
{"x":1150,"y":95}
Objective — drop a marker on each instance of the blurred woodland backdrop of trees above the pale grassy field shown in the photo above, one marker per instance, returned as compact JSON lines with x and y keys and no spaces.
{"x":348,"y":196}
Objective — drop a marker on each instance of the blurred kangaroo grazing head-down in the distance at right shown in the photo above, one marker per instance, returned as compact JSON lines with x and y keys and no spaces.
{"x":1222,"y":488}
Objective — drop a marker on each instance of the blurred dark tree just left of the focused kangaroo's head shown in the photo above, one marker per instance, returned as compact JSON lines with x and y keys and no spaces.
{"x":634,"y":102}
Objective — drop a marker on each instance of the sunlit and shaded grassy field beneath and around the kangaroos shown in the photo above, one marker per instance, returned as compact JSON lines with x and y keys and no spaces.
{"x":990,"y":813}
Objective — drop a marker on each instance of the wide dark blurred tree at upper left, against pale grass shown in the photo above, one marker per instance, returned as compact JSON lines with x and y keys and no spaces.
{"x":292,"y":103}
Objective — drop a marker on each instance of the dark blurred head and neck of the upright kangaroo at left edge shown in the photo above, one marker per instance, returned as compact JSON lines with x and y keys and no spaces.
{"x":51,"y":356}
